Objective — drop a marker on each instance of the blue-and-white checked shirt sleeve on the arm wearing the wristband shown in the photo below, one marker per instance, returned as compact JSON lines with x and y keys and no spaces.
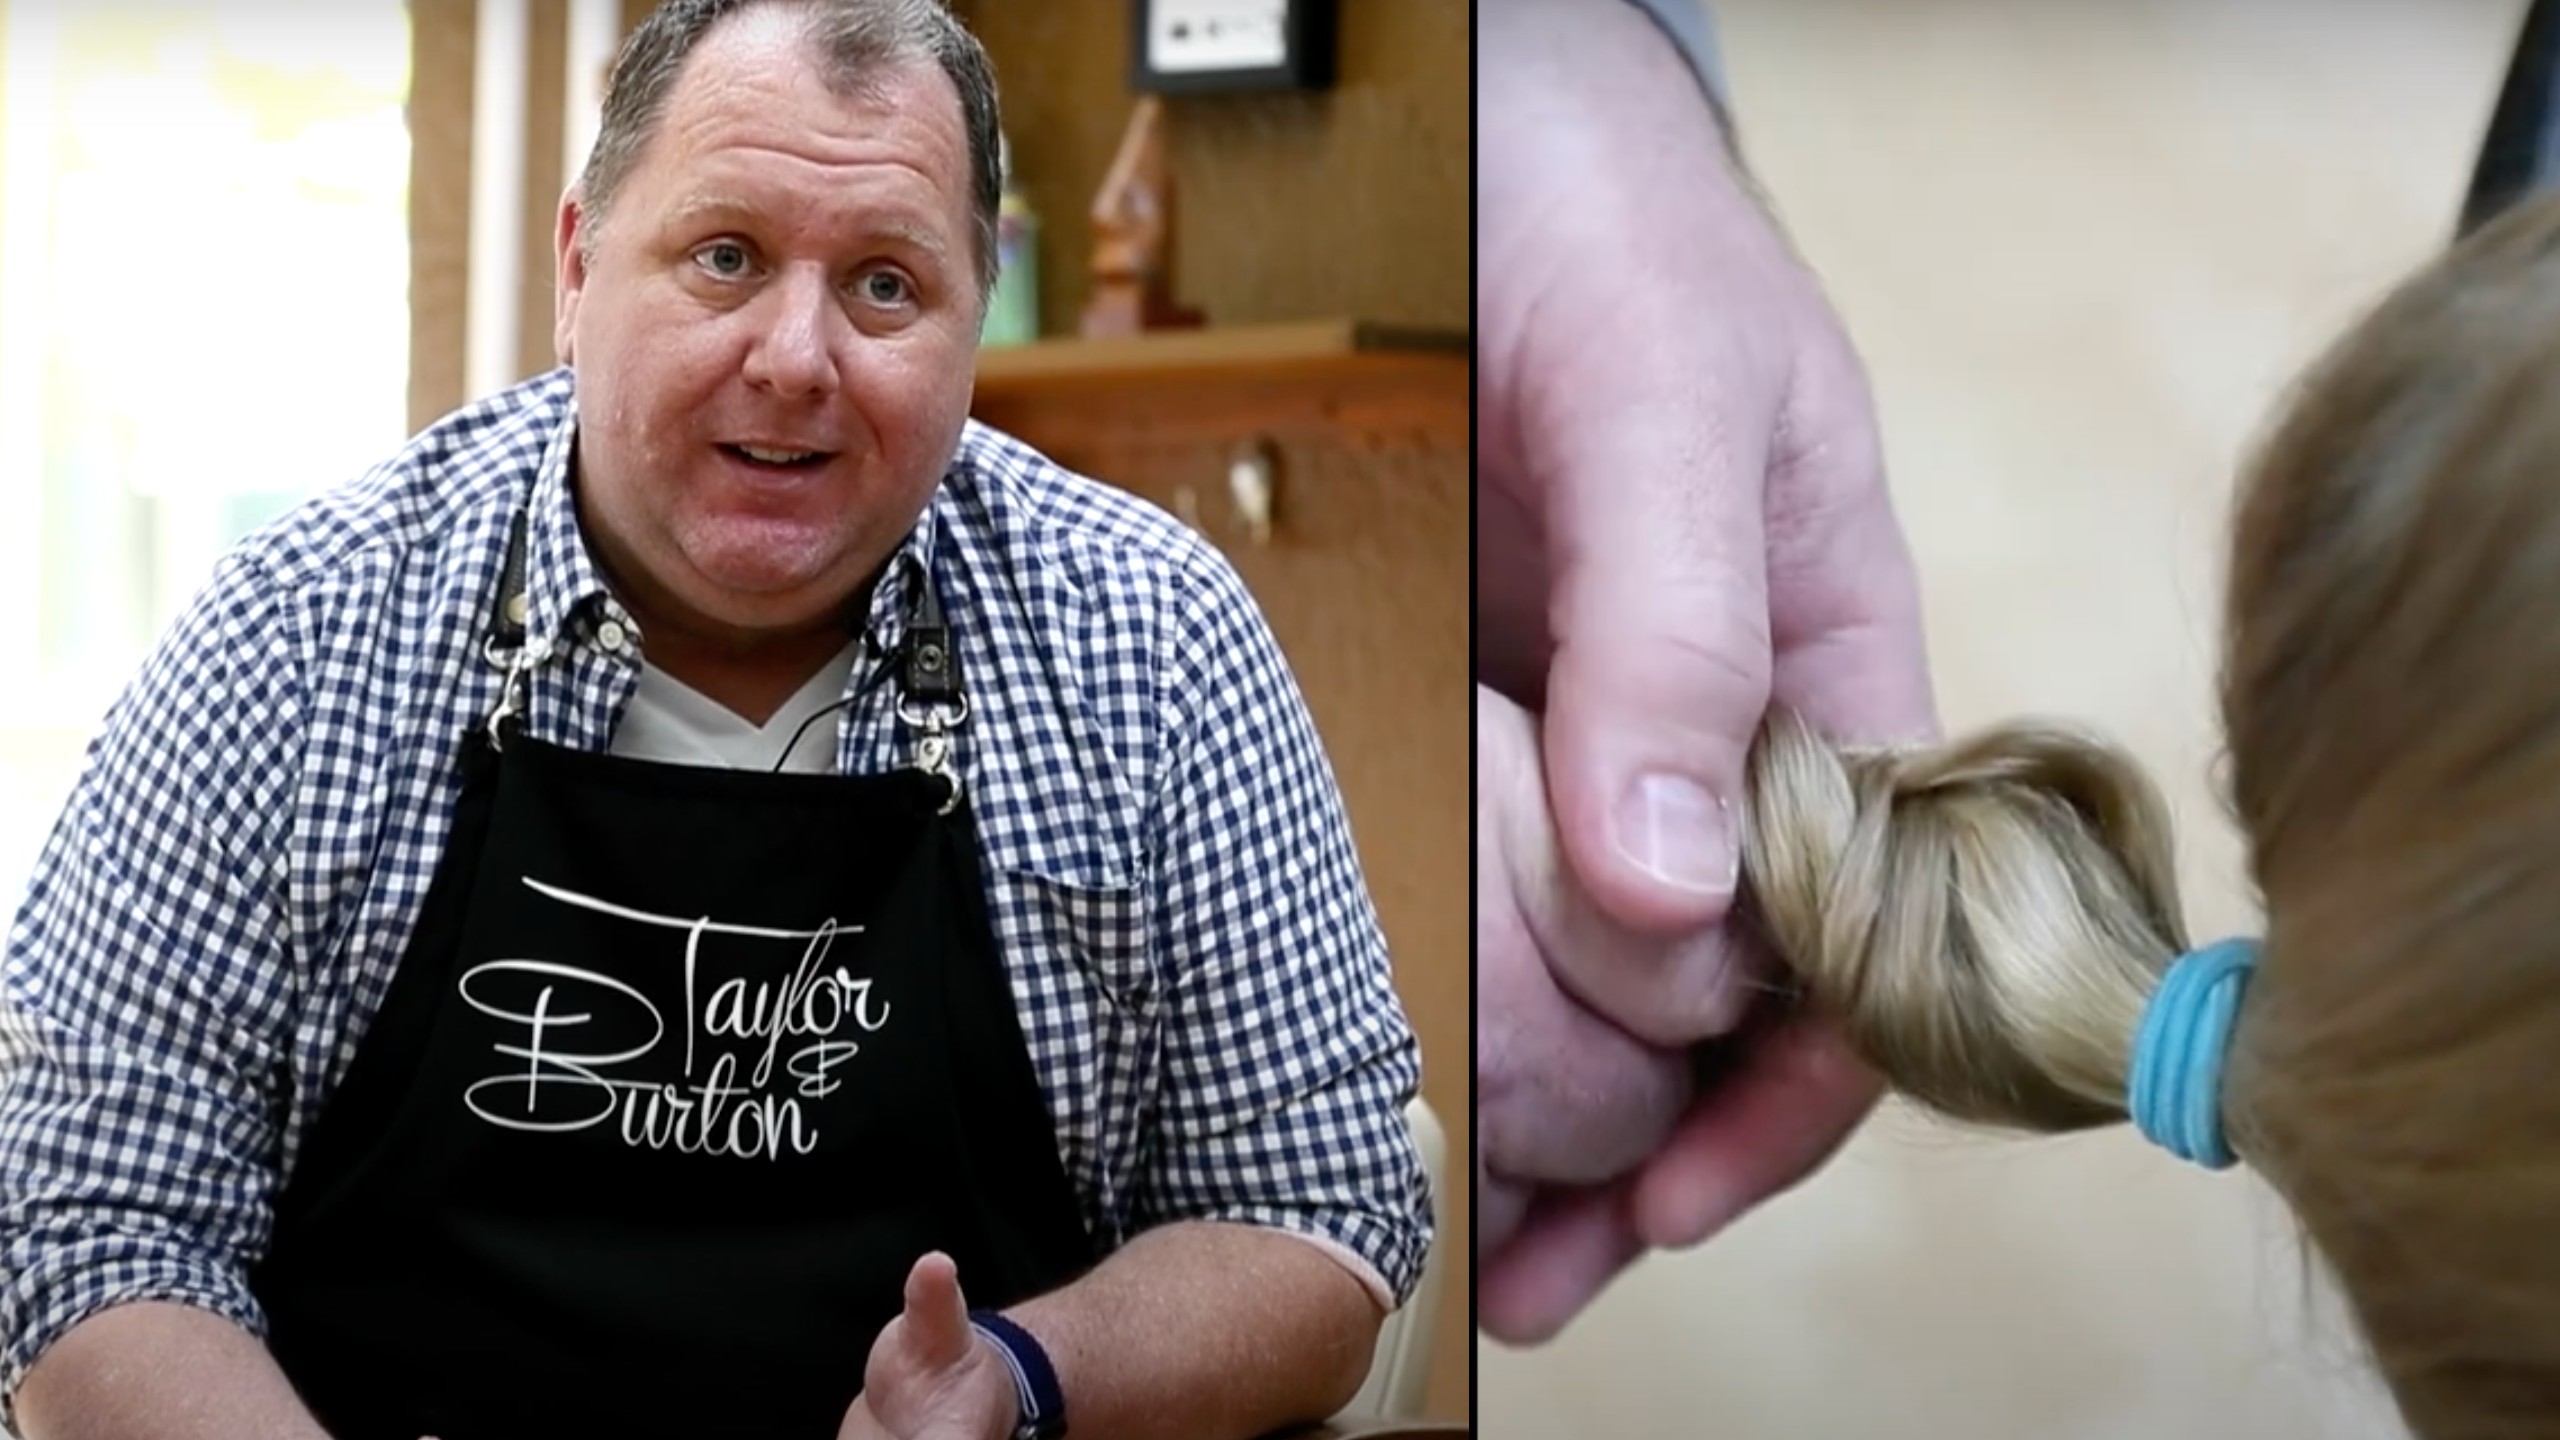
{"x":1289,"y":1060}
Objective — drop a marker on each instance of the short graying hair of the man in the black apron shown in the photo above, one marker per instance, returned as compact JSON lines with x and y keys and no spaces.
{"x":859,"y":40}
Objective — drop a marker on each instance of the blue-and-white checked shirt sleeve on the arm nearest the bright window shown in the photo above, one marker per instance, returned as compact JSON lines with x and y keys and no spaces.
{"x":145,"y":995}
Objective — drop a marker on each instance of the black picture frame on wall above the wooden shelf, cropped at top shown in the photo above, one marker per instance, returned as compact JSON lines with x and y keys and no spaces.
{"x":1217,"y":47}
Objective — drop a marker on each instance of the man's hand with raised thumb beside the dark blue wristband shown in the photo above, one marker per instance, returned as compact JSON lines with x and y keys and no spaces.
{"x":931,"y":1377}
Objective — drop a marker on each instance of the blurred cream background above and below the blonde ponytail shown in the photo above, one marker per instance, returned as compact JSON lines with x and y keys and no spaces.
{"x":2083,"y":247}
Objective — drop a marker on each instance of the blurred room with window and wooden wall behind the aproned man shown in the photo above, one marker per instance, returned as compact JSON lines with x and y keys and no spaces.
{"x":247,"y":247}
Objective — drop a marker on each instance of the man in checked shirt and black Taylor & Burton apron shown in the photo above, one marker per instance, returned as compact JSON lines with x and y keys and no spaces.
{"x":434,"y":1013}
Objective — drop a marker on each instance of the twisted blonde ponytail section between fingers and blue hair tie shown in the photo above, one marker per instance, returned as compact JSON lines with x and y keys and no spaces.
{"x":1988,"y":919}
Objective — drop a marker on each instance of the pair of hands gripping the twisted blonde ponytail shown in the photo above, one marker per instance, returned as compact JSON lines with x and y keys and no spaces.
{"x":1683,"y":516}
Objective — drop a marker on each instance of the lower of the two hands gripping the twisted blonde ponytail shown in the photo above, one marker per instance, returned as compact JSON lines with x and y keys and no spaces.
{"x":1588,"y":1139}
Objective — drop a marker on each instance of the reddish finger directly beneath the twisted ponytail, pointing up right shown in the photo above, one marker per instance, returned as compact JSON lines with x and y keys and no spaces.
{"x":1791,"y":1100}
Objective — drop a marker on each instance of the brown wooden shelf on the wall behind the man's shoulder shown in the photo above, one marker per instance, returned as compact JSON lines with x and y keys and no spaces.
{"x":1222,"y":352}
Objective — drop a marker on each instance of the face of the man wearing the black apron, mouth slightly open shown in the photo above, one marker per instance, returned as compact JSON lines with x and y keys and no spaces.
{"x":774,"y":334}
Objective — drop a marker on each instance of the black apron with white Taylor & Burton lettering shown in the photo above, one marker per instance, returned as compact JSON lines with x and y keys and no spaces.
{"x":677,"y":1080}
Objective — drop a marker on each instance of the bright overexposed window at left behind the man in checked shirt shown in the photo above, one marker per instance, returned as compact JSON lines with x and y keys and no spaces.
{"x":204,"y":319}
